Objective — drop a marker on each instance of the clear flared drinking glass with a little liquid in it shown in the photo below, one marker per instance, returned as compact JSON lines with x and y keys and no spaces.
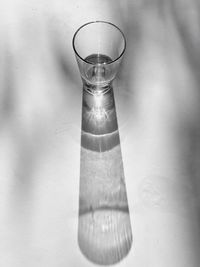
{"x":99,"y":47}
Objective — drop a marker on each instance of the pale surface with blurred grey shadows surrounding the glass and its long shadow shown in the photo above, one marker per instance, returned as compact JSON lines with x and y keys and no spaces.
{"x":157,"y":98}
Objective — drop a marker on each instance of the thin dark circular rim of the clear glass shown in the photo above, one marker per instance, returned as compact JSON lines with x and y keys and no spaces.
{"x":99,"y":21}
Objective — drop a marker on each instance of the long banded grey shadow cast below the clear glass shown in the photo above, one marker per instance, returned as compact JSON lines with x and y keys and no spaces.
{"x":104,"y":227}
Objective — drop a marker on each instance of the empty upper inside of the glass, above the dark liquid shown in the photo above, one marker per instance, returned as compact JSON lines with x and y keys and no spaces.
{"x":99,"y":37}
